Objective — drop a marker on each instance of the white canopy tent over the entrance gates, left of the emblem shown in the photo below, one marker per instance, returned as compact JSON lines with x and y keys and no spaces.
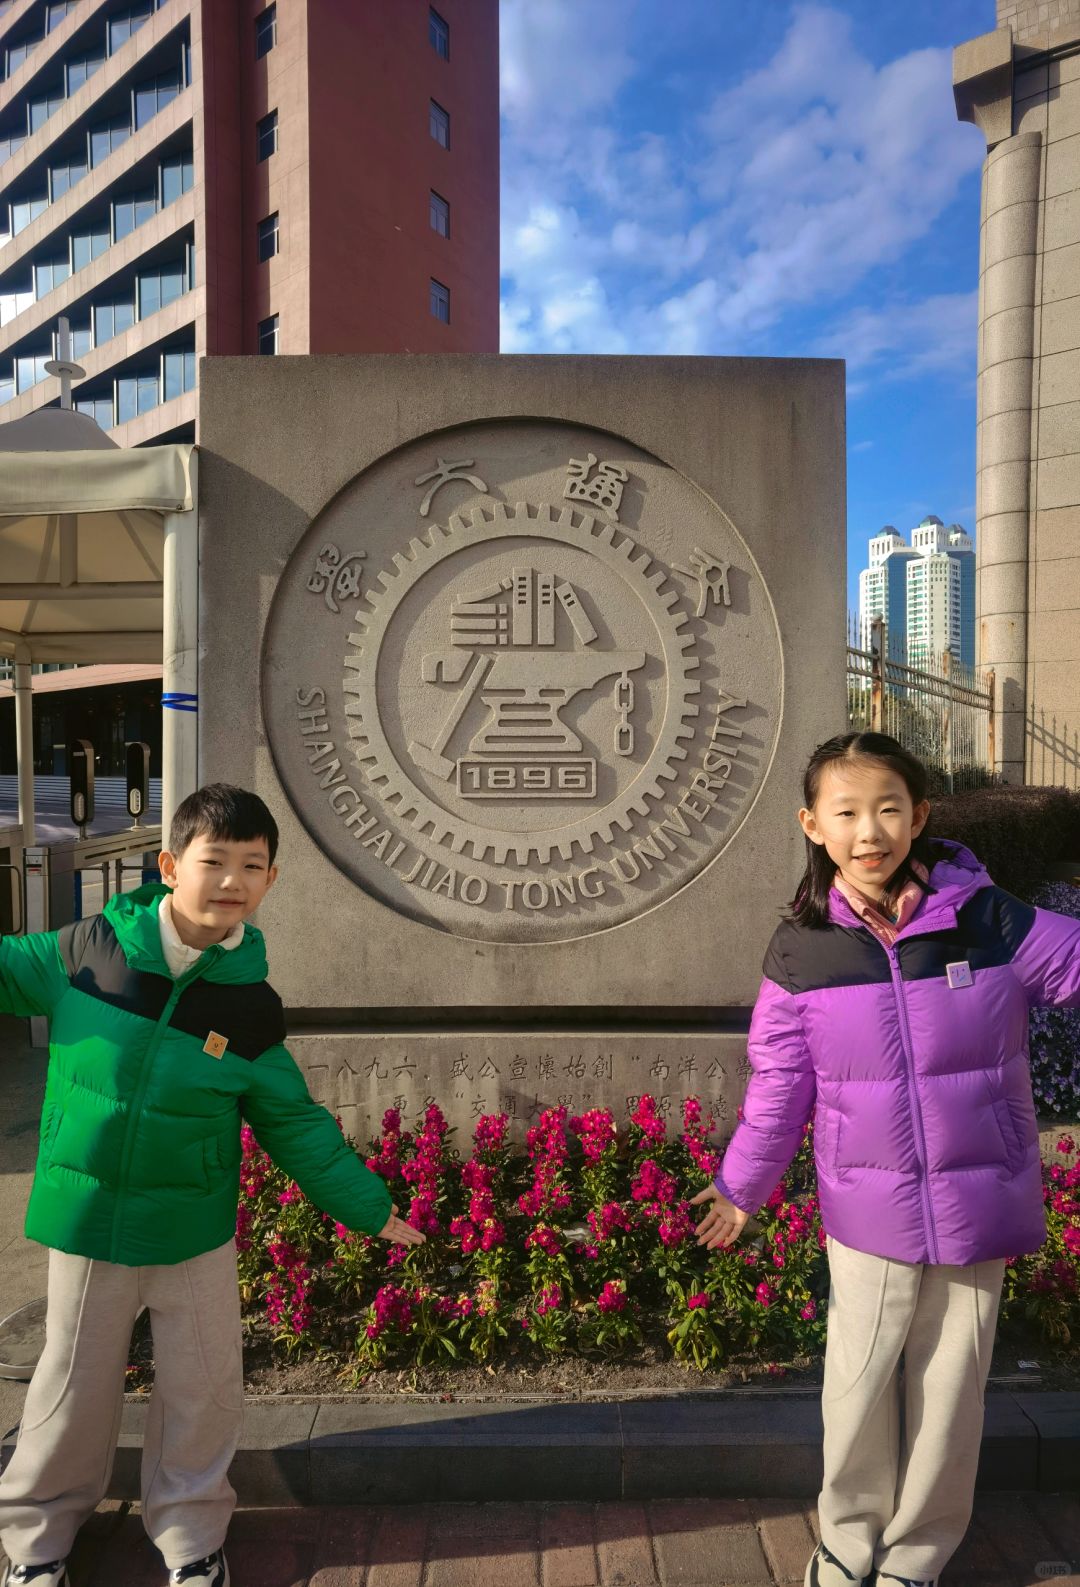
{"x":99,"y":563}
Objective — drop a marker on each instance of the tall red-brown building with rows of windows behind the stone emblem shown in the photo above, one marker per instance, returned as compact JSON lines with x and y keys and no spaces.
{"x":205,"y":177}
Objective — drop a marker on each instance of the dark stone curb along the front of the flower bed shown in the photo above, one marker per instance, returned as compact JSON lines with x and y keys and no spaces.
{"x":331,"y":1453}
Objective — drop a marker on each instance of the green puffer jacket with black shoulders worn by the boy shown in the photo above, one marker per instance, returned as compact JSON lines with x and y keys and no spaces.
{"x":140,"y":1131}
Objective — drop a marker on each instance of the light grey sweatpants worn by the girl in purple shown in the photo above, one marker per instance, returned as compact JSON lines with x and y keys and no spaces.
{"x":902,"y":1453}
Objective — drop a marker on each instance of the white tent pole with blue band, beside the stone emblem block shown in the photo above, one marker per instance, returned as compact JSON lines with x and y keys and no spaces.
{"x":180,"y":685}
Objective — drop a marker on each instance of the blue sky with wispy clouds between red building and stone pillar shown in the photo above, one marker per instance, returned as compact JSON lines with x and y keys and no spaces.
{"x":759,"y":179}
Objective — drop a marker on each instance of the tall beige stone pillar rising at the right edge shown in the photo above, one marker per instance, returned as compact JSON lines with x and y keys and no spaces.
{"x":1022,"y":86}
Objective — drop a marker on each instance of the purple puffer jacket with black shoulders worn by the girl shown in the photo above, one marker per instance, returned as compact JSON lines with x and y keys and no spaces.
{"x":914,"y":1062}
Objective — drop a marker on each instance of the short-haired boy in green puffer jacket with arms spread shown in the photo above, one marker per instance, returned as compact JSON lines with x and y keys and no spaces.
{"x":164,"y":1036}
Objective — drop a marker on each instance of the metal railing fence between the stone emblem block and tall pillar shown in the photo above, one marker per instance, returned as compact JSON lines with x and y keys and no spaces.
{"x":935,"y":705}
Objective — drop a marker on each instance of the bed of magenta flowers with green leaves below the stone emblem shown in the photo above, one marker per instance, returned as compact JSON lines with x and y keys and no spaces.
{"x":575,"y":1248}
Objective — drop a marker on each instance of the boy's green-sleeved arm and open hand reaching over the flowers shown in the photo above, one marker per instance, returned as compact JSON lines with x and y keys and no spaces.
{"x":305,"y":1140}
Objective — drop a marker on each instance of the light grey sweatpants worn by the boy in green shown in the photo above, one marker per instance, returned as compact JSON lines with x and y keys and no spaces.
{"x":61,"y":1467}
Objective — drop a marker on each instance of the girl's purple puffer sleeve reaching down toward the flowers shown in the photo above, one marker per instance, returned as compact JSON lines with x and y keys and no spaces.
{"x":778,"y":1104}
